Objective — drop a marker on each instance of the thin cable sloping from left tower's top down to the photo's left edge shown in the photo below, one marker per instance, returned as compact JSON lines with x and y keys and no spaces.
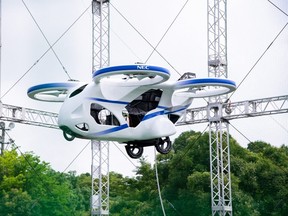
{"x":37,"y":61}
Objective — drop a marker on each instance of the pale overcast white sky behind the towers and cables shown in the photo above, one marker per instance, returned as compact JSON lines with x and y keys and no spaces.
{"x":252,"y":25}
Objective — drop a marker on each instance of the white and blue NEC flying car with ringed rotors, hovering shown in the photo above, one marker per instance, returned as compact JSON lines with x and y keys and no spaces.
{"x":132,"y":104}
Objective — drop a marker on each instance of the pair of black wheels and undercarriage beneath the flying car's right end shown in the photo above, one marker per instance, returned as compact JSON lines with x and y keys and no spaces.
{"x":135,"y":149}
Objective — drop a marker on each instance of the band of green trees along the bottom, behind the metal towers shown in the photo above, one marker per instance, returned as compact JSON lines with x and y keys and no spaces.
{"x":259,"y":175}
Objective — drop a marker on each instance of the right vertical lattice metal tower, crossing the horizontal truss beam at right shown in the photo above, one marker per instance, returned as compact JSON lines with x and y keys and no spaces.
{"x":218,"y":129}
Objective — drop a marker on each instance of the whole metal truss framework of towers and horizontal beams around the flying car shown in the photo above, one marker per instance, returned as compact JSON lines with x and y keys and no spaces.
{"x":218,"y":112}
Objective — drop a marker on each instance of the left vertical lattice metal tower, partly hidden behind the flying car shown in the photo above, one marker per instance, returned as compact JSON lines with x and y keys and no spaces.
{"x":100,"y":149}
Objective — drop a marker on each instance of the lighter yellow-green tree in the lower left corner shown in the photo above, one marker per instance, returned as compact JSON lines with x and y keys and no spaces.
{"x":30,"y":187}
